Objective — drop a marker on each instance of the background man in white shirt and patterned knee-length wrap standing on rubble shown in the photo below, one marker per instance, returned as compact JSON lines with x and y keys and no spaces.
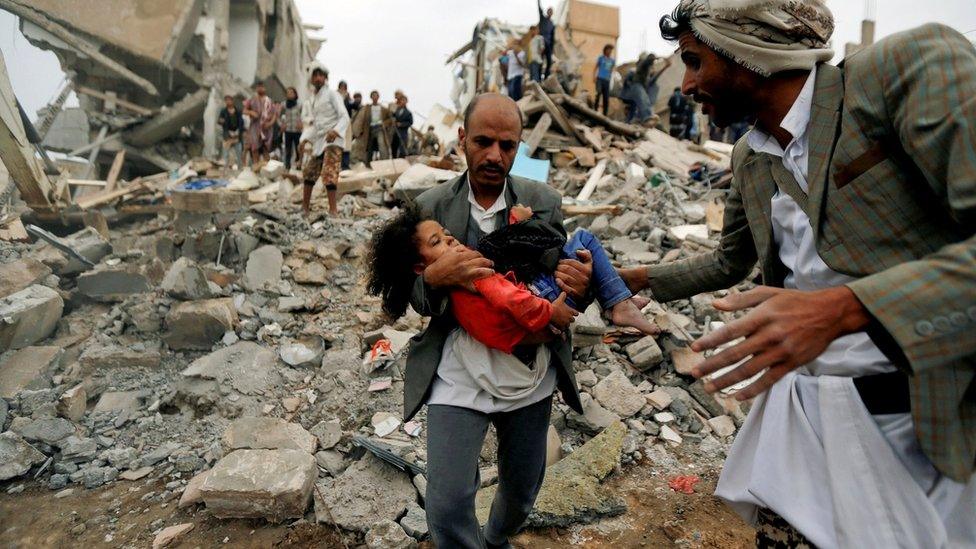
{"x":325,"y":133}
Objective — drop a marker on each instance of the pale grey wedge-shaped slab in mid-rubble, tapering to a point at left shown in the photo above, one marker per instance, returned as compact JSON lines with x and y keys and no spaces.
{"x":245,"y":366}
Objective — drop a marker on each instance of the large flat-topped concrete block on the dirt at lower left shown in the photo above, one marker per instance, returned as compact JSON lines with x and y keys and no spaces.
{"x":270,"y":484}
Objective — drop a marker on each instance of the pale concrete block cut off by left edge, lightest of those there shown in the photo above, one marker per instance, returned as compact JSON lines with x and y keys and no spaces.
{"x":28,"y":316}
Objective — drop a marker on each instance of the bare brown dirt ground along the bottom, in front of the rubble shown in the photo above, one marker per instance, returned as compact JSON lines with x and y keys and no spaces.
{"x":117,"y":516}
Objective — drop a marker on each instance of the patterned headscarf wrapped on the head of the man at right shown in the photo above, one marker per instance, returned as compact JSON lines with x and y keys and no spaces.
{"x":765,"y":36}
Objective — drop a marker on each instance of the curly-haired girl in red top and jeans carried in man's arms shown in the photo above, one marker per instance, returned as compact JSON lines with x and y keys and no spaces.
{"x":522,"y":298}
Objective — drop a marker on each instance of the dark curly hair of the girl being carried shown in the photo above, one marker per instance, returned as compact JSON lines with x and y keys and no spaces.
{"x":390,"y":260}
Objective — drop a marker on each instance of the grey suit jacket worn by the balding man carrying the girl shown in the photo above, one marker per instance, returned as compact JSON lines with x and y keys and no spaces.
{"x":448,"y":204}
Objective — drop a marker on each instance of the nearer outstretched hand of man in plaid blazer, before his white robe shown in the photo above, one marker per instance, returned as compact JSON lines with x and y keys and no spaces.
{"x":787,"y":329}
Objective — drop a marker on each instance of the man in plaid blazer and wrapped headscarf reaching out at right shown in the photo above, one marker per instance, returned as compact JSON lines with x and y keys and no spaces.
{"x":856,"y":194}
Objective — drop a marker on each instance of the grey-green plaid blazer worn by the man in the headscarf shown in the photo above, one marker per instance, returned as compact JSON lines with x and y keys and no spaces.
{"x":892,"y":200}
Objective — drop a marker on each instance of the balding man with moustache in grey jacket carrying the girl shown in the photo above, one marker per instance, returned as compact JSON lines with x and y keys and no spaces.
{"x":458,"y":410}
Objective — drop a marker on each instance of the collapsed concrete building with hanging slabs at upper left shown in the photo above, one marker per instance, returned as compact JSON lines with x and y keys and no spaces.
{"x":150,"y":76}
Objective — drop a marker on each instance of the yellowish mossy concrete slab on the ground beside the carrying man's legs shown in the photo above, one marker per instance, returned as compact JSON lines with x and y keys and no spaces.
{"x":572,"y":492}
